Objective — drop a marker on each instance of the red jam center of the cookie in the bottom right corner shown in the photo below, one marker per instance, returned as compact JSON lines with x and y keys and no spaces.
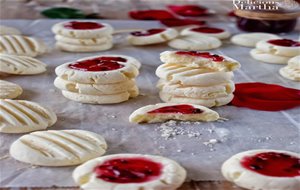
{"x":273,"y":164}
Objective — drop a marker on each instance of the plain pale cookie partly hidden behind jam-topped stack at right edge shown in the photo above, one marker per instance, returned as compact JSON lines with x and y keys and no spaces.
{"x":250,"y":39}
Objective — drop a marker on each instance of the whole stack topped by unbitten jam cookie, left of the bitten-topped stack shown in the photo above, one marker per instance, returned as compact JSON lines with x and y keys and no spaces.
{"x":105,"y":79}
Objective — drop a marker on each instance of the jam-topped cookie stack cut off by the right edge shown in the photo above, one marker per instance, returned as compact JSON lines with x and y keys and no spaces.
{"x":277,"y":51}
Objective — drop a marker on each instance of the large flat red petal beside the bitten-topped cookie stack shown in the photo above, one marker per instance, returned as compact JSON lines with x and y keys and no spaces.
{"x":265,"y":97}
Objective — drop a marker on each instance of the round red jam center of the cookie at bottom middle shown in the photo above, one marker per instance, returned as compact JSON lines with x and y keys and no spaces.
{"x":128,"y":170}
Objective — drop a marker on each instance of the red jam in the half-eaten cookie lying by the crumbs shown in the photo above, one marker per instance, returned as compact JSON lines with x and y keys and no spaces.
{"x":182,"y":109}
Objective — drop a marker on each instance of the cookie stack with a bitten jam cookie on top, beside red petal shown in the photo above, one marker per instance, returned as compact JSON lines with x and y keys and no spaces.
{"x":196,"y":77}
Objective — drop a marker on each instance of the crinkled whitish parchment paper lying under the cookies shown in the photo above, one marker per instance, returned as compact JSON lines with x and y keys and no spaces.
{"x":200,"y":148}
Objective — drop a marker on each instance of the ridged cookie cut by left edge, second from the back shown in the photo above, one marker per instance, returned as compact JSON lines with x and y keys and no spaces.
{"x":20,"y":65}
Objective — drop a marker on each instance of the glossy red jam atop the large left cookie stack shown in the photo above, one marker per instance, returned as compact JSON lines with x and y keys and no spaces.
{"x":99,"y":64}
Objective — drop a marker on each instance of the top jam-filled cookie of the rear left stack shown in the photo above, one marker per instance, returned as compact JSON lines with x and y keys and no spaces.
{"x":82,"y":29}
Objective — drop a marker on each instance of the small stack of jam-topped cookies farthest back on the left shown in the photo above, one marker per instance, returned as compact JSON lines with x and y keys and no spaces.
{"x":83,"y":36}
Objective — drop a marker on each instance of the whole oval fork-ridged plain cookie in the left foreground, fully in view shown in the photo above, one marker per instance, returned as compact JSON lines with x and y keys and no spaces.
{"x":58,"y":148}
